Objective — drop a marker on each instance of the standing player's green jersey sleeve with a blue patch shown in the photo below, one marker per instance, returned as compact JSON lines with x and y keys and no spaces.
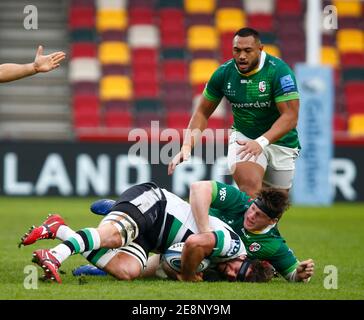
{"x":284,"y":85}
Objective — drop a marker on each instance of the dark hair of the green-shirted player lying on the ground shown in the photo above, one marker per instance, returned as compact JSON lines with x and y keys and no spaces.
{"x":272,"y":202}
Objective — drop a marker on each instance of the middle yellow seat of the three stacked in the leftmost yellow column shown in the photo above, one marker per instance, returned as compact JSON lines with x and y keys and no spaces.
{"x":113,"y":52}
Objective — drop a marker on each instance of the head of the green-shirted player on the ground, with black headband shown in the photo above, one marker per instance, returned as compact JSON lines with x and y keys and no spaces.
{"x":267,"y":209}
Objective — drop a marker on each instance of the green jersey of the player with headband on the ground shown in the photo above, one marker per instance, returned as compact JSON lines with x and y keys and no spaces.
{"x":229,"y":204}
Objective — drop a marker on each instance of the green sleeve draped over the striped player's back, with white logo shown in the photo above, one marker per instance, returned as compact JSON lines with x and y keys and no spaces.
{"x":228,"y":198}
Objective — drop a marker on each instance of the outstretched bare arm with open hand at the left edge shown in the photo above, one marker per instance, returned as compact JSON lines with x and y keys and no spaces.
{"x":42,"y":63}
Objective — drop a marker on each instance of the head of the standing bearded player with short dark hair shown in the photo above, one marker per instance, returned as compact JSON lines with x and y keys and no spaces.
{"x":246,"y":49}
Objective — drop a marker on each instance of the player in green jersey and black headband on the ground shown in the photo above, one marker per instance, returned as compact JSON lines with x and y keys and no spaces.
{"x":254,"y":220}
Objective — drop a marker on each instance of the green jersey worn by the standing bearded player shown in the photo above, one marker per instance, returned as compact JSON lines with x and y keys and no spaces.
{"x":253,"y":96}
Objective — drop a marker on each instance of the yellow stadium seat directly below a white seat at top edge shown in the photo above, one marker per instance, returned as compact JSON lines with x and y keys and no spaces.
{"x":108,"y":19}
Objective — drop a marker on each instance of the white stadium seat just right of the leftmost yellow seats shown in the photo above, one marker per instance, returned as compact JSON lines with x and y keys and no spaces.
{"x":143,"y":36}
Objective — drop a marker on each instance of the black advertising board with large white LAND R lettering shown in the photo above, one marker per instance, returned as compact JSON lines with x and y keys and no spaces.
{"x":106,"y":169}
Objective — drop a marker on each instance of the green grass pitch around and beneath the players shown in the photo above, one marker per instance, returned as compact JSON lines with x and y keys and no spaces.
{"x":331,"y":236}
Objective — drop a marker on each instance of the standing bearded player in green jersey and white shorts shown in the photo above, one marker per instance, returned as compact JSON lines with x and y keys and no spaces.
{"x":262,"y":92}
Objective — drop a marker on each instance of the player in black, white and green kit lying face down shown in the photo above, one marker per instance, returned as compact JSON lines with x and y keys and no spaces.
{"x":144,"y":219}
